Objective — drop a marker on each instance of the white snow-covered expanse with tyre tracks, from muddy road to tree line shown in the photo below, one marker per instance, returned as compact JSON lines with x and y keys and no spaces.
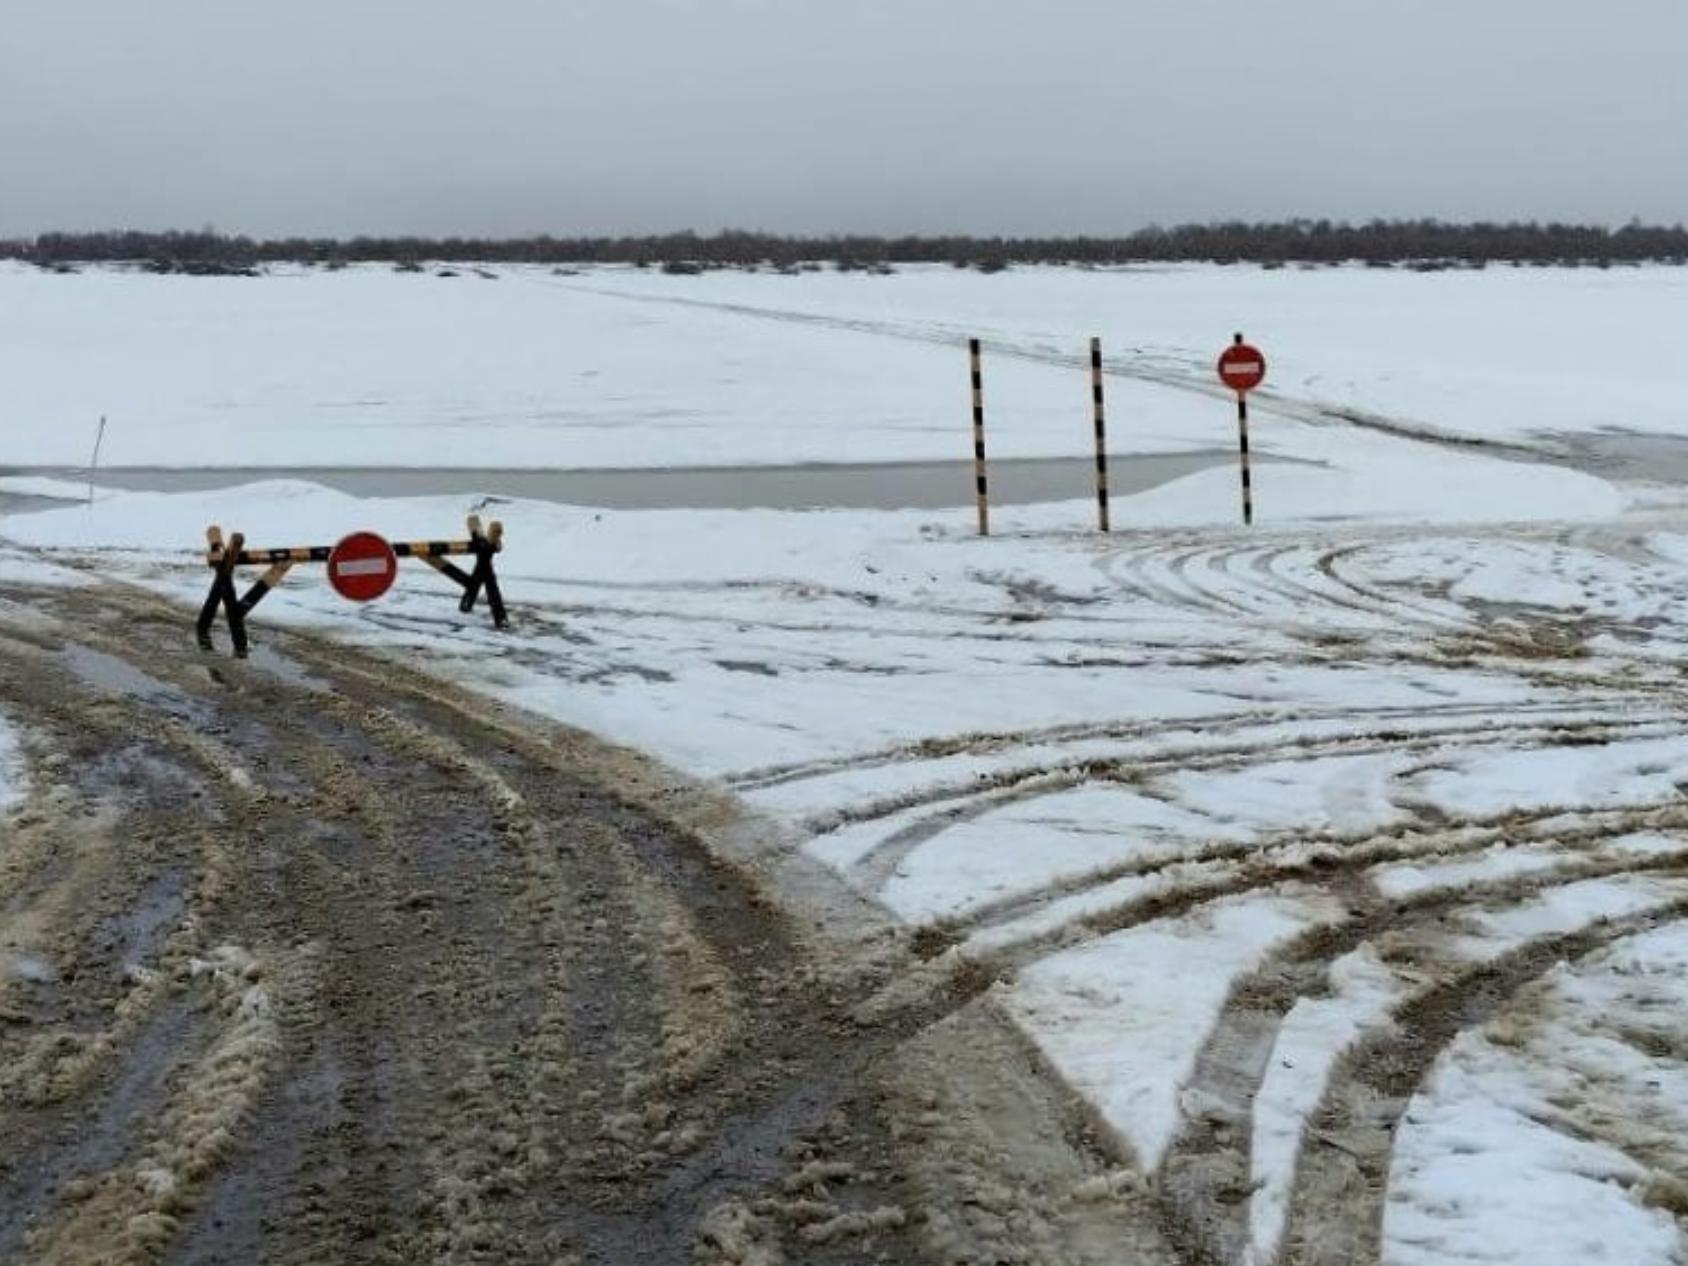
{"x":1341,"y":863}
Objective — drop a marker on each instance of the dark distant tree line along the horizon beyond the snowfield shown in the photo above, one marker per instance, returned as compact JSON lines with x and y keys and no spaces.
{"x":1424,"y":244}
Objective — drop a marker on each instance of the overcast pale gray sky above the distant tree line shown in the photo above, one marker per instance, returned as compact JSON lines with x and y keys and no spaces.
{"x":912,"y":116}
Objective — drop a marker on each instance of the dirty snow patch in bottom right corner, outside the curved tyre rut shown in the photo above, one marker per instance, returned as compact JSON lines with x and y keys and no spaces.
{"x":1554,"y":1140}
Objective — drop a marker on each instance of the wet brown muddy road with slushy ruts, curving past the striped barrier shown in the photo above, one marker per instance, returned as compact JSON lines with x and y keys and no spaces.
{"x":311,"y":960}
